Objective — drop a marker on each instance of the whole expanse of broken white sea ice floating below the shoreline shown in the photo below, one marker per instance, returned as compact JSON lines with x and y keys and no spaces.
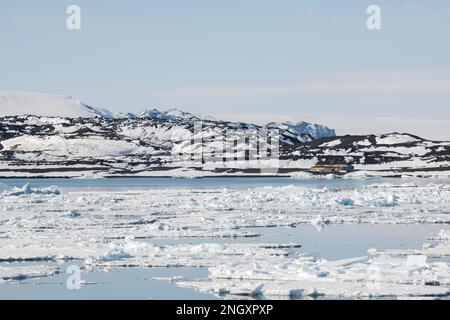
{"x":162,"y":226}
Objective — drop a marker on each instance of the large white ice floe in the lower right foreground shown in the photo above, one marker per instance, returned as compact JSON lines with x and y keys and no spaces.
{"x":373,"y":276}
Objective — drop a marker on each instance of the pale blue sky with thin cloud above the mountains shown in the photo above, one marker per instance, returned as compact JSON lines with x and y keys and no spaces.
{"x":256,"y":61}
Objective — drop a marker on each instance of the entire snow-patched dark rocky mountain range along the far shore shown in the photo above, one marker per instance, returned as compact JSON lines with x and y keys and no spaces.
{"x":44,"y":135}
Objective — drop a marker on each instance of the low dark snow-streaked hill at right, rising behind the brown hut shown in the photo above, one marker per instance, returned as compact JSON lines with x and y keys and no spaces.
{"x":393,"y":154}
